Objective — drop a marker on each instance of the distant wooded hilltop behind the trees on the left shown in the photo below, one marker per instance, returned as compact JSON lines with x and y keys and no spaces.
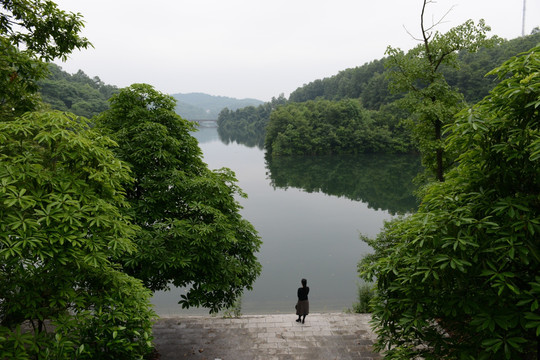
{"x":76,"y":93}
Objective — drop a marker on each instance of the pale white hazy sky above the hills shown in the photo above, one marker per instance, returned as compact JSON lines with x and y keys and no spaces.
{"x":260,"y":48}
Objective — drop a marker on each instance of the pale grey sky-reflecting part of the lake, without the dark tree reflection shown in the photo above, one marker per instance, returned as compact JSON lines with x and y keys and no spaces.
{"x":309,"y":235}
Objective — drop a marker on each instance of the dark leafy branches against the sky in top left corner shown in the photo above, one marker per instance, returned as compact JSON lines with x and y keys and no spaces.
{"x":32,"y":32}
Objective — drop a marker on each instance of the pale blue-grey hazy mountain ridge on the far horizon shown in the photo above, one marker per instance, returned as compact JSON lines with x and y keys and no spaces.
{"x":200,"y":106}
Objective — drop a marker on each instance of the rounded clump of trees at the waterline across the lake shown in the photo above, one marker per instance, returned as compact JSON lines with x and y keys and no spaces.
{"x":327,"y":127}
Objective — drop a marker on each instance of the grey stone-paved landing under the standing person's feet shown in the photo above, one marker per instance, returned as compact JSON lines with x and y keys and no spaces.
{"x":266,"y":337}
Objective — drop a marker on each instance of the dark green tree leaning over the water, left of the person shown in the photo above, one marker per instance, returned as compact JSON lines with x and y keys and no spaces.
{"x":191,"y":231}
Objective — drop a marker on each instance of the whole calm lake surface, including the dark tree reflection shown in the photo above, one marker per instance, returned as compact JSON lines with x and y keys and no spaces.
{"x":309,"y":213}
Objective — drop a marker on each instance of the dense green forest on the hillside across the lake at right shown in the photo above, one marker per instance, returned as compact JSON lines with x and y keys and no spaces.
{"x":369,"y":86}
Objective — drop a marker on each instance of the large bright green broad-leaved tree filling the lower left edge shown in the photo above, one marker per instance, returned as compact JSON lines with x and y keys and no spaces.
{"x":60,"y":201}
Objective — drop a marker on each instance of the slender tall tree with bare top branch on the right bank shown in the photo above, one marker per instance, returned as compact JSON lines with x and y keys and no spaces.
{"x":433,"y":102}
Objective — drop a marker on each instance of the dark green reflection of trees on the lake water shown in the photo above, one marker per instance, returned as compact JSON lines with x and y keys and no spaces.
{"x":383,"y":181}
